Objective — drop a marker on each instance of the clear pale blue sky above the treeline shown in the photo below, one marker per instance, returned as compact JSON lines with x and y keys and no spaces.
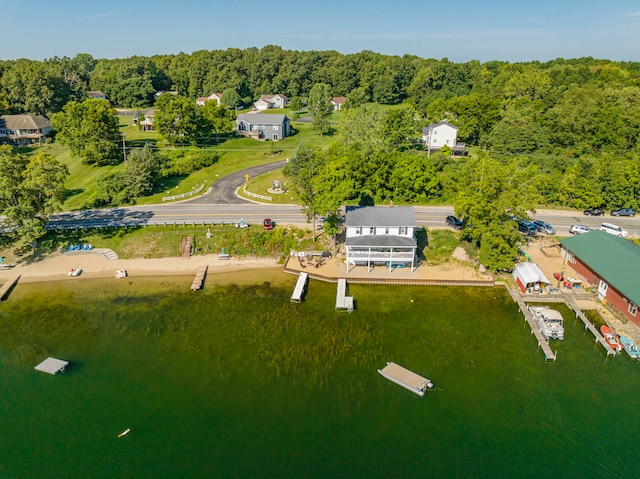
{"x":507,"y":30}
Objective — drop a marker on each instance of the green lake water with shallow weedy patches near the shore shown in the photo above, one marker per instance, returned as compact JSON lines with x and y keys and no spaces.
{"x":235,"y":381}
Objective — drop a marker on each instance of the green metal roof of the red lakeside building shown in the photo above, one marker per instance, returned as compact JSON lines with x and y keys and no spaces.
{"x":614,"y":259}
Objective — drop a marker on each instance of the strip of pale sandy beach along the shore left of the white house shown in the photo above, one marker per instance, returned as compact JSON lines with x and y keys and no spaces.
{"x":57,"y":266}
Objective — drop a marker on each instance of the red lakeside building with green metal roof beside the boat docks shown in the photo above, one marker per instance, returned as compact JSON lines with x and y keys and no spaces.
{"x":611,"y":265}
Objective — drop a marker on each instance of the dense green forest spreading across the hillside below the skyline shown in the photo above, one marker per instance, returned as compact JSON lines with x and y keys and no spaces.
{"x":563,"y":132}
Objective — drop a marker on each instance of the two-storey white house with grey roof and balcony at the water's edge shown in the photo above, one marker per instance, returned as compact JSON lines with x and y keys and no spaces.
{"x":381,"y":235}
